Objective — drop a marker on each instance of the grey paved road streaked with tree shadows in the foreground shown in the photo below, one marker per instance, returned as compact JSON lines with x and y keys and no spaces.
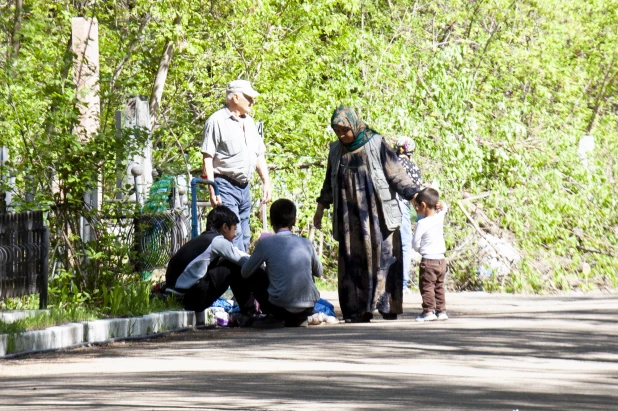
{"x":498,"y":352}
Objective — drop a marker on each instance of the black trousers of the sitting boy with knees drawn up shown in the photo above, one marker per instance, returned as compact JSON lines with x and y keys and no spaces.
{"x":218,"y":278}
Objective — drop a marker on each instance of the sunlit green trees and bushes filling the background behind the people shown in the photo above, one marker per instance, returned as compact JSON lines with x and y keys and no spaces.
{"x":495,"y":93}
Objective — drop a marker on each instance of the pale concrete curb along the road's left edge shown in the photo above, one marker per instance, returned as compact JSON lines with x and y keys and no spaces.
{"x":99,"y":331}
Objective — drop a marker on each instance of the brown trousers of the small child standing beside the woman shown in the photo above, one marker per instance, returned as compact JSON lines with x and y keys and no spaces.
{"x":431,"y":283}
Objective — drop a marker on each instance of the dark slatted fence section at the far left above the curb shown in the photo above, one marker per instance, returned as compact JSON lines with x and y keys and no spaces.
{"x":24,"y":247}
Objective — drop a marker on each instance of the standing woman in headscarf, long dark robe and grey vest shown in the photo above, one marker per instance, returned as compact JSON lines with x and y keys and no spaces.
{"x":362,"y":179}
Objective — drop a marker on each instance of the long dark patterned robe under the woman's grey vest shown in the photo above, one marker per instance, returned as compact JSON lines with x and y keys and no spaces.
{"x":370,"y":268}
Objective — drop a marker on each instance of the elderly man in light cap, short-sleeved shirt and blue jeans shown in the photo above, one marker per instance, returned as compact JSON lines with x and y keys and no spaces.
{"x":232,"y":150}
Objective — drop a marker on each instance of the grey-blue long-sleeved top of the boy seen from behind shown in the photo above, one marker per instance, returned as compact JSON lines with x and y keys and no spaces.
{"x":291,"y":261}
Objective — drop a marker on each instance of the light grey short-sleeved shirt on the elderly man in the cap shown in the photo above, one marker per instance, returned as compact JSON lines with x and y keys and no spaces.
{"x":234,"y":145}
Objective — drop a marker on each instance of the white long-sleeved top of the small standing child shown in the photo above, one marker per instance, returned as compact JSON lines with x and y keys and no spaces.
{"x":429,"y":236}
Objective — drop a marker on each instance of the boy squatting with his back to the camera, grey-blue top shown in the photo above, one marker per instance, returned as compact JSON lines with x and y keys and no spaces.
{"x":289,"y":293}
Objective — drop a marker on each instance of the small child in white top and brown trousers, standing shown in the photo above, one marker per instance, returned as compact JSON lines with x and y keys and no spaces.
{"x":429,"y":242}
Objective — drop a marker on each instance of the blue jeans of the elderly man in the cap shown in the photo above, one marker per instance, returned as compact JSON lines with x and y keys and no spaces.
{"x":239,"y":201}
